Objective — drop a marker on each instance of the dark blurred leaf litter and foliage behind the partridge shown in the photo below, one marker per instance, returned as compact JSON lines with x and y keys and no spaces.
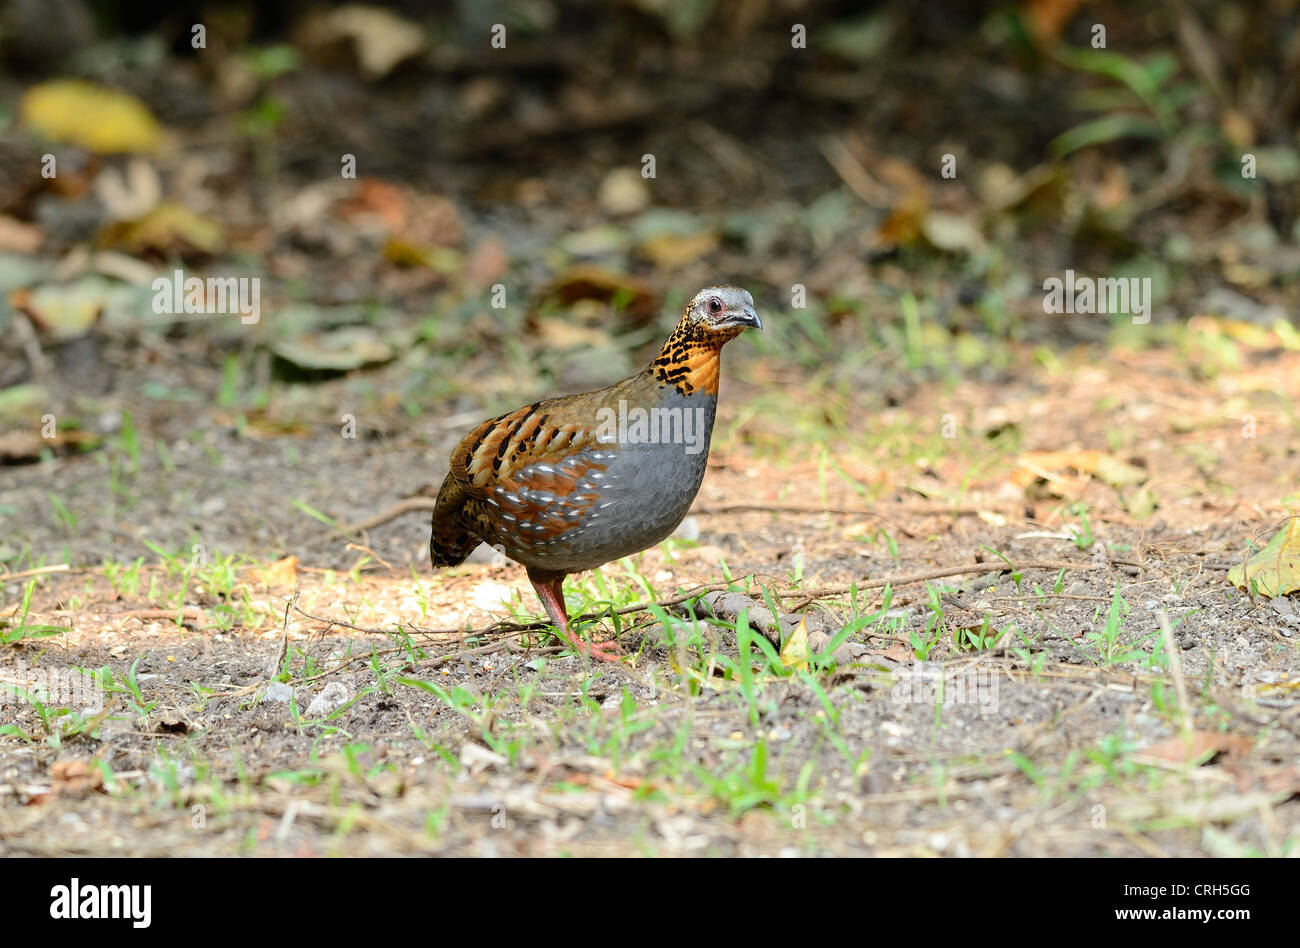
{"x":799,"y":148}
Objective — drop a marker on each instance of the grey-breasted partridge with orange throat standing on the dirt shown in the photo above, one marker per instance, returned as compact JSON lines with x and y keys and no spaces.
{"x":569,"y":484}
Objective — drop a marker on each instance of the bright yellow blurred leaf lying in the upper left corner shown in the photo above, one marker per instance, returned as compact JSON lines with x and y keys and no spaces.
{"x":97,"y":118}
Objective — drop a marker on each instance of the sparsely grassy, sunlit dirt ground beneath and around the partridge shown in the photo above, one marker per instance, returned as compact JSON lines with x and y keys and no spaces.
{"x":1043,"y":743}
